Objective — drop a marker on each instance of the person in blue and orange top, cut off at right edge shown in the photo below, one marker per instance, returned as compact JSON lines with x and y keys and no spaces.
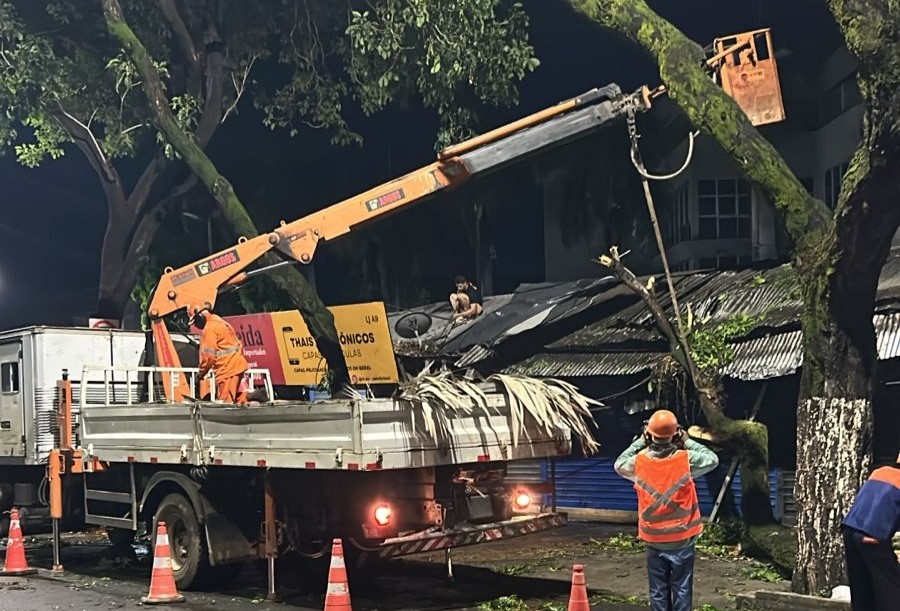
{"x":869,"y":528}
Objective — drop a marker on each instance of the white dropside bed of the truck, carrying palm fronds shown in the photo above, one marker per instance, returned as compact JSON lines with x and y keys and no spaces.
{"x":365,"y":434}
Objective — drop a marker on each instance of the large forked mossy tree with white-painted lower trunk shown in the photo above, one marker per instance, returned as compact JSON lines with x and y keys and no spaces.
{"x":838,"y":256}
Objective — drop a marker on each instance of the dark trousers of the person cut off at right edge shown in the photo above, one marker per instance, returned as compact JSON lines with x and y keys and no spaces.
{"x":873,"y":572}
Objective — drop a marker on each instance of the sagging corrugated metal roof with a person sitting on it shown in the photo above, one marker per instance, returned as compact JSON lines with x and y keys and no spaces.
{"x":625,"y":341}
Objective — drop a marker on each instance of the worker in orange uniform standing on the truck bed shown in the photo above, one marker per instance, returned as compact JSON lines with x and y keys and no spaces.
{"x":220,"y":352}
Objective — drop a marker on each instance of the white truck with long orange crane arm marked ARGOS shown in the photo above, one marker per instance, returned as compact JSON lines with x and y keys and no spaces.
{"x":93,"y":435}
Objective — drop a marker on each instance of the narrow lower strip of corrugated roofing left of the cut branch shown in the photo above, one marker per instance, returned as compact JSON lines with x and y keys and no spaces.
{"x":582,"y":365}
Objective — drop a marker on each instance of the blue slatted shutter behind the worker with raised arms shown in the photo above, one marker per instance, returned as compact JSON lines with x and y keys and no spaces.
{"x":592,"y":483}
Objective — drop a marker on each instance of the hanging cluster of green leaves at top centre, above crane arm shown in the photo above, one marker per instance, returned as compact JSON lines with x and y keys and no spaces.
{"x":454,"y":54}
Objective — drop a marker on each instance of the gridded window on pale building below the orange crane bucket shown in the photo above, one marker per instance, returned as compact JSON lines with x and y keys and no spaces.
{"x":724,"y":209}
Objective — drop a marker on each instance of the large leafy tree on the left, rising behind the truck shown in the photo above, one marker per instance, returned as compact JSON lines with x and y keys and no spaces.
{"x":302,"y":63}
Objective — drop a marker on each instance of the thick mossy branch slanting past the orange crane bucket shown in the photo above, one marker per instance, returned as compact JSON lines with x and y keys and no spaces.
{"x":681,"y":64}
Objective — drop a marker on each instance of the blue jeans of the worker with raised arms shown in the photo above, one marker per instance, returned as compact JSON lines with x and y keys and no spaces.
{"x":671,"y":576}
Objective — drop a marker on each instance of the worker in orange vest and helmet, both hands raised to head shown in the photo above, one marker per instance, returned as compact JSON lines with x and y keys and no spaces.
{"x":663,"y":463}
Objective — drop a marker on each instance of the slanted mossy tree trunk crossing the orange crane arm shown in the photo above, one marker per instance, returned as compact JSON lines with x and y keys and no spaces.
{"x":318,"y":318}
